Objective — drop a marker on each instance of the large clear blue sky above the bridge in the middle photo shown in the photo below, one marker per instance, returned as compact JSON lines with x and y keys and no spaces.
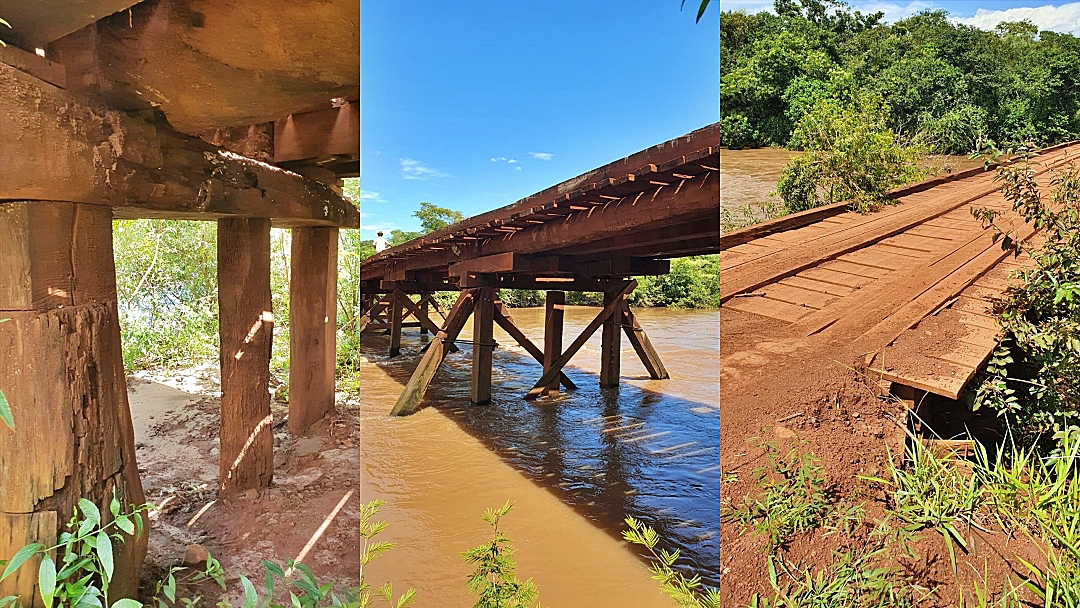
{"x":475,"y":104}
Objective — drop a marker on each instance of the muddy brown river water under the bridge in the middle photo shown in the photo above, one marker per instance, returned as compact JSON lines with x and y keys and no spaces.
{"x":576,"y":465}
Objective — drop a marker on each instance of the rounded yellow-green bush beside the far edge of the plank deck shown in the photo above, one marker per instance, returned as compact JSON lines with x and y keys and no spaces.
{"x":850,"y":155}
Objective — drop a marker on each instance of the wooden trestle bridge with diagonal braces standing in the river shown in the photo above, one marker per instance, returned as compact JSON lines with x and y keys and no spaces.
{"x":591,"y":234}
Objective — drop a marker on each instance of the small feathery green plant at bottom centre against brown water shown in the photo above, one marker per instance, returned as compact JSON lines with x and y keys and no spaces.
{"x":495,"y":578}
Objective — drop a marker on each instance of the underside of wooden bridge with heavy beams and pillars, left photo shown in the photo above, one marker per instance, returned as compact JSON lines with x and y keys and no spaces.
{"x":117,"y":110}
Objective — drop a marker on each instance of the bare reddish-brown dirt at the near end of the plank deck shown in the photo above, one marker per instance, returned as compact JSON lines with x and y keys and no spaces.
{"x":809,"y":396}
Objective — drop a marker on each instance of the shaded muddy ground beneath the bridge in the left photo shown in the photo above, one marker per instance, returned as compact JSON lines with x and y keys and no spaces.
{"x":177,"y":417}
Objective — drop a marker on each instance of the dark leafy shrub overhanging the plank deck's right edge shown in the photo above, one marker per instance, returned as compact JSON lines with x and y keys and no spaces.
{"x":1032,"y":377}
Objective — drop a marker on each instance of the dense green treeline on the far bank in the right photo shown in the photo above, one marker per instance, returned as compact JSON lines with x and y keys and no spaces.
{"x":951,"y":86}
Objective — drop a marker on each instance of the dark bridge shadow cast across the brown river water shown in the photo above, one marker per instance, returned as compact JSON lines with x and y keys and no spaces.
{"x":606,"y":453}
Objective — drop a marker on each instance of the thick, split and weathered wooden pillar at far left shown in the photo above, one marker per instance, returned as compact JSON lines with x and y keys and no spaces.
{"x":62,"y":372}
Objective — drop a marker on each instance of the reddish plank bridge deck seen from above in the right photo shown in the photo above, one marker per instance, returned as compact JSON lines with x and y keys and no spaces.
{"x":910,"y":290}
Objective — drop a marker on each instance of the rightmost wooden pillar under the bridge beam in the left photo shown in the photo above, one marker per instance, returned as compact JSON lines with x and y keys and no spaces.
{"x":313,"y":325}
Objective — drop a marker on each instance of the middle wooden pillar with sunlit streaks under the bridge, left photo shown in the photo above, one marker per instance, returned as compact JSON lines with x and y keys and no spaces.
{"x":247,"y":333}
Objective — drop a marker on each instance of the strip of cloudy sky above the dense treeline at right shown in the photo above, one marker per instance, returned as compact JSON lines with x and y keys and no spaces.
{"x":1061,"y":17}
